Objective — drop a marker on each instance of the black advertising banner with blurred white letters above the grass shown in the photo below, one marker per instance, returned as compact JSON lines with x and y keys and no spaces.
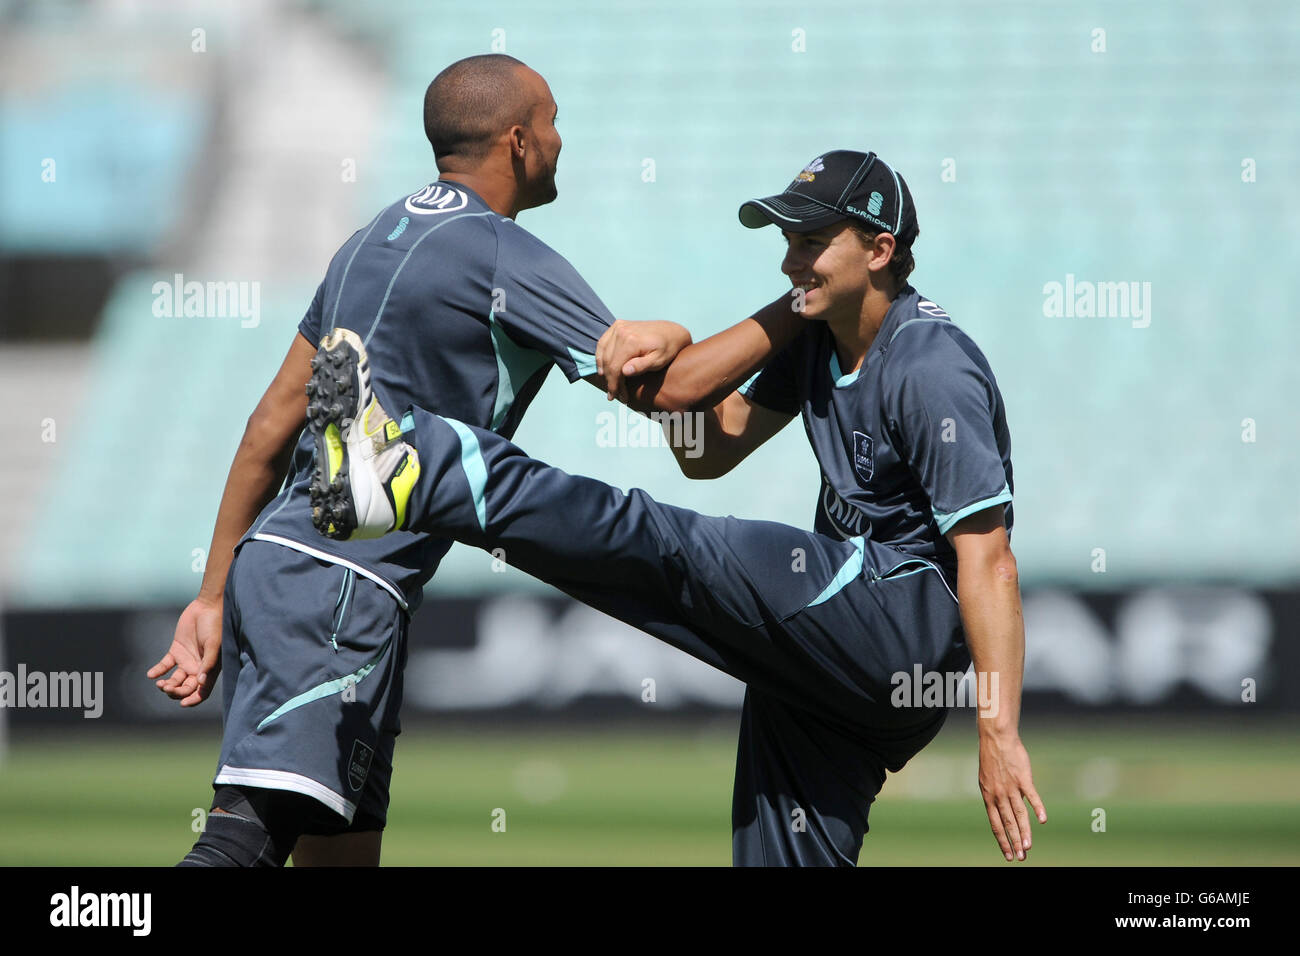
{"x":1169,"y":650}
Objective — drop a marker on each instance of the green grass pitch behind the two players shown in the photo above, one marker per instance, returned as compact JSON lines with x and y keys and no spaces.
{"x":1172,"y":795}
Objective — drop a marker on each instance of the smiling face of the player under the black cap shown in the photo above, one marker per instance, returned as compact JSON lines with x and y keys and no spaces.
{"x":831,"y":267}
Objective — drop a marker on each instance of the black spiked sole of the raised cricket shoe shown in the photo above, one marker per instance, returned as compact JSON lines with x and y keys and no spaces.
{"x":335,"y":400}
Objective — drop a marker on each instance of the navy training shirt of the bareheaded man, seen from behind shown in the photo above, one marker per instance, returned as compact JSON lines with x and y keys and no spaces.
{"x":463,"y":313}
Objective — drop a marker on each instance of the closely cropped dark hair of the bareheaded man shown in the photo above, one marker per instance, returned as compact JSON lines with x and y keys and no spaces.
{"x":471,"y":102}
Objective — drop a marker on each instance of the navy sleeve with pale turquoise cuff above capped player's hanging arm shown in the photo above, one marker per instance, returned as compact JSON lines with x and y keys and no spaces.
{"x":942,"y":406}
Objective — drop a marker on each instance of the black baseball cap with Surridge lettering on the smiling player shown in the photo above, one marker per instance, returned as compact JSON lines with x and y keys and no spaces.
{"x":842,"y":184}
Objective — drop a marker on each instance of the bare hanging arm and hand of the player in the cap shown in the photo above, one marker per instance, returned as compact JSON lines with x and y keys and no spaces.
{"x":990,"y":594}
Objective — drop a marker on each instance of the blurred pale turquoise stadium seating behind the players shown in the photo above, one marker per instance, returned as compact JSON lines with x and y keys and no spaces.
{"x":1124,"y":166}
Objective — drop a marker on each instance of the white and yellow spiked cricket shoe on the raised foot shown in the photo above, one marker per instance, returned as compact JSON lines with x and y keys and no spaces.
{"x":363,"y":473}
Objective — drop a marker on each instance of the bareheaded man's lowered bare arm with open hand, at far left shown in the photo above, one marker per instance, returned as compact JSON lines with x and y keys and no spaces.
{"x":258,"y":469}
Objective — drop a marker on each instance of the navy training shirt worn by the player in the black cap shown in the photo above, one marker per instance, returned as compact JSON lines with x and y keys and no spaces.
{"x":912,"y":443}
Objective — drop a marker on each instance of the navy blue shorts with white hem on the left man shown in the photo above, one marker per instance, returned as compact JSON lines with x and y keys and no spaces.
{"x":313,"y":657}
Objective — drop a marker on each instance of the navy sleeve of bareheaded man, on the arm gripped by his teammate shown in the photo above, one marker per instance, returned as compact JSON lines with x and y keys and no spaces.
{"x":543,"y":304}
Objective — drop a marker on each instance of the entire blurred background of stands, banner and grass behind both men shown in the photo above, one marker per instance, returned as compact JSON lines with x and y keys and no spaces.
{"x":1108,"y":200}
